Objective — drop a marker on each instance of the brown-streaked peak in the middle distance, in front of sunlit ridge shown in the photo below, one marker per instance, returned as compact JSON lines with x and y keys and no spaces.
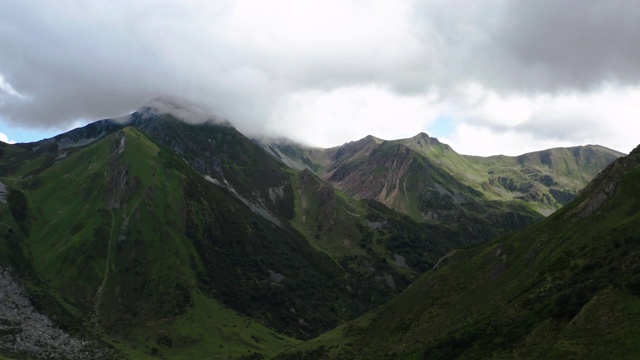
{"x":409,"y":182}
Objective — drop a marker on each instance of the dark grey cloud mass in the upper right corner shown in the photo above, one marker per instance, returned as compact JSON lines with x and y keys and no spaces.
{"x":573,"y":44}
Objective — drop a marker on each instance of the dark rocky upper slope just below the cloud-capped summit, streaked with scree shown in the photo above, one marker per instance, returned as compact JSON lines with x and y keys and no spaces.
{"x":226,"y":156}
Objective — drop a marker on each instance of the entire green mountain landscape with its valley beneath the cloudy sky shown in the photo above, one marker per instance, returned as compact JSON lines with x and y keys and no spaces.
{"x":149,"y":237}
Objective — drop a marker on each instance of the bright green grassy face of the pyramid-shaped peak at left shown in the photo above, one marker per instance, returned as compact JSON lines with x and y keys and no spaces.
{"x":77,"y":211}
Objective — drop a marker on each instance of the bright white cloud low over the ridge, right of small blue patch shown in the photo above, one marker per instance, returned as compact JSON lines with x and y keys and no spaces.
{"x":608,"y":117}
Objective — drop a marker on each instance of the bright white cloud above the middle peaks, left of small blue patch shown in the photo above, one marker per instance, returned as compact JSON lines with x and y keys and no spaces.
{"x":328,"y":118}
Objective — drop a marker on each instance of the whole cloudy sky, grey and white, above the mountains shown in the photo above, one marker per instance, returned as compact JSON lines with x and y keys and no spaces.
{"x":486,"y":77}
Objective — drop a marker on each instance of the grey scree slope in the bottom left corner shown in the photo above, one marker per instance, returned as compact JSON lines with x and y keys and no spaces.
{"x":25,"y":331}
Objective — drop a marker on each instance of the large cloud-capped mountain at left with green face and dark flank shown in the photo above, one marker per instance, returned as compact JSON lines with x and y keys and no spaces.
{"x":149,"y":236}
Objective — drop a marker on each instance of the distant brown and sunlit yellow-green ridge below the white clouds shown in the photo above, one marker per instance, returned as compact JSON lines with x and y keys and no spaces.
{"x":546,"y":179}
